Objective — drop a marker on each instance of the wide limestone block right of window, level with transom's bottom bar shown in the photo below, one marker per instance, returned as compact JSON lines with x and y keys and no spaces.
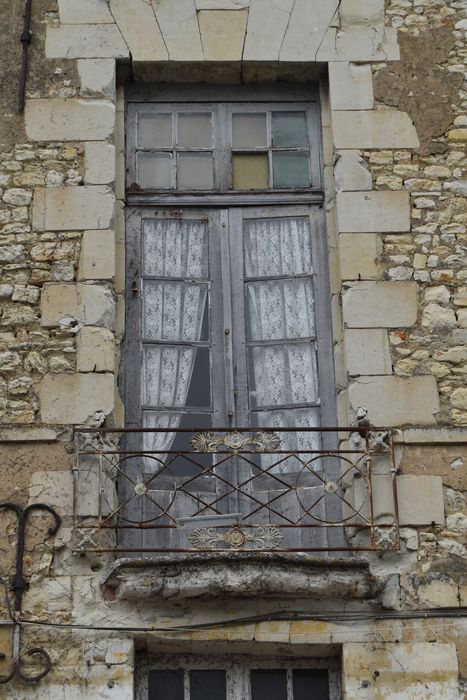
{"x":373,"y":212}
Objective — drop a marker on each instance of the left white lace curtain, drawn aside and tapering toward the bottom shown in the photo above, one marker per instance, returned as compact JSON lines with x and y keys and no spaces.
{"x":172,"y":311}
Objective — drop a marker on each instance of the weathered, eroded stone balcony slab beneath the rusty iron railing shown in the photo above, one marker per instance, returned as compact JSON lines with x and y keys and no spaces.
{"x":237,"y":574}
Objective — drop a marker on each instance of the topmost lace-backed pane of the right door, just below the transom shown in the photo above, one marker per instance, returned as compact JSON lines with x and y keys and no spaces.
{"x":280,"y":246}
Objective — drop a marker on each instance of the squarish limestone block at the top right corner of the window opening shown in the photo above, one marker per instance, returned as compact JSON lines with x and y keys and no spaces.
{"x":350,"y":86}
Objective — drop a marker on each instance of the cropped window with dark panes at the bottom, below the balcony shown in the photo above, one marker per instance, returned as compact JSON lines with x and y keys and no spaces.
{"x":192,"y":678}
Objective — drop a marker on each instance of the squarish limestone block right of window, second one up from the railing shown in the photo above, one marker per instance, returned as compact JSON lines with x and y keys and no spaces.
{"x":367,"y":351}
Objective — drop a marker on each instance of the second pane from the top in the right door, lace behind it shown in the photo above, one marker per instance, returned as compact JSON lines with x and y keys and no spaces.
{"x":280,"y":309}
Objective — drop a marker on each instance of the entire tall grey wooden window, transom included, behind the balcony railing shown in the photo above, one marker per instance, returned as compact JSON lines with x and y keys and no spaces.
{"x":228,"y":318}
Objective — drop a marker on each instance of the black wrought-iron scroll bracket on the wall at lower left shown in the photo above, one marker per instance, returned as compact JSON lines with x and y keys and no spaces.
{"x":19,"y":585}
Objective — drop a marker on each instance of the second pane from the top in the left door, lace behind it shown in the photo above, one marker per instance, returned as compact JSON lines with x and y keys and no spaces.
{"x":175,"y":311}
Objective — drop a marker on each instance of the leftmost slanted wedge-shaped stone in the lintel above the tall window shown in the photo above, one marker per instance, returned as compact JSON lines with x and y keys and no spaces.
{"x":137,"y":22}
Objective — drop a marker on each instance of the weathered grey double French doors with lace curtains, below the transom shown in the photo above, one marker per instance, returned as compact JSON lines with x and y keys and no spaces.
{"x":227,"y":327}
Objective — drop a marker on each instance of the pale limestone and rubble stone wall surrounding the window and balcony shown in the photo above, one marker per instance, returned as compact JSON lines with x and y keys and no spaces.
{"x":394,"y":128}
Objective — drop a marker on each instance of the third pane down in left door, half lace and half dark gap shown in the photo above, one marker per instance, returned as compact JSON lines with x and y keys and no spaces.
{"x":176,"y":376}
